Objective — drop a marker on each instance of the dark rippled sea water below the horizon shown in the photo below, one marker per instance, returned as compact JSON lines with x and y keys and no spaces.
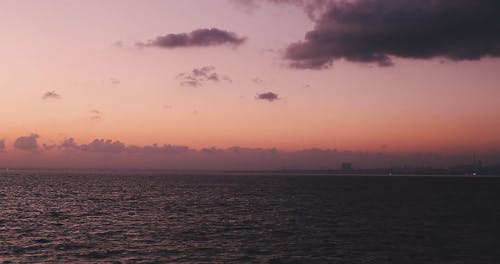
{"x":55,"y":217}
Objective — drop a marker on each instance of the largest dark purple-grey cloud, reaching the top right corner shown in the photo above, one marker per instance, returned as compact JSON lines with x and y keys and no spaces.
{"x":371,"y":31}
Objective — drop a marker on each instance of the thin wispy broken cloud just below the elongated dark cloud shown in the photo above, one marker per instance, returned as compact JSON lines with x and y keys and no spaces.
{"x":199,"y":76}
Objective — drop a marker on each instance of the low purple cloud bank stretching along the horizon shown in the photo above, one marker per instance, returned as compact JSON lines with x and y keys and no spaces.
{"x":108,"y":153}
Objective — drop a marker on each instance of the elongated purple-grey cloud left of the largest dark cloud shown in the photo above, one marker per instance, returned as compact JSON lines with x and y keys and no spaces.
{"x":198,"y":38}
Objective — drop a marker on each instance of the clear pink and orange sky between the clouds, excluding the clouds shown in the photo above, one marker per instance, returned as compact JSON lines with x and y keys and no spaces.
{"x":109,"y":88}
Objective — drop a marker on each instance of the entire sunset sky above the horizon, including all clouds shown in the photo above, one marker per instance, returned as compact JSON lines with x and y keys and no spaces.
{"x":226,"y":83}
